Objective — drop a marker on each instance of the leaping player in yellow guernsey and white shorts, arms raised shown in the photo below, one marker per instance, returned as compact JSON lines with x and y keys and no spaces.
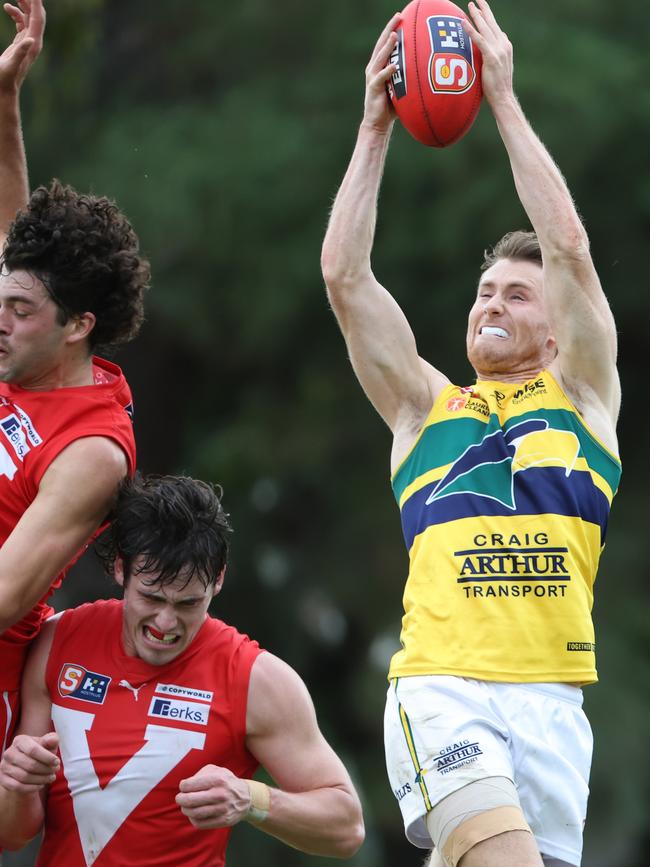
{"x":504,"y":489}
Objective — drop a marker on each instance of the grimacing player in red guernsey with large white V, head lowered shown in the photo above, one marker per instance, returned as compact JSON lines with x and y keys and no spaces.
{"x":143,"y":720}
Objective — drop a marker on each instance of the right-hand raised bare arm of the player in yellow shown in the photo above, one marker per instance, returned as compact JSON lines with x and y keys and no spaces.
{"x":582,"y":320}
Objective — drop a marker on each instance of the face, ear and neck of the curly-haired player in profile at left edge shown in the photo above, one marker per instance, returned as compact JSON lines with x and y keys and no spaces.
{"x":36,"y":351}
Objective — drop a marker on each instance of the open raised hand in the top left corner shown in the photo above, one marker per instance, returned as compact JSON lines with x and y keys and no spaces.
{"x":15,"y":61}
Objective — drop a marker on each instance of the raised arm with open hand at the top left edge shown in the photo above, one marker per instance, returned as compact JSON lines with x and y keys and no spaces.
{"x":15,"y":61}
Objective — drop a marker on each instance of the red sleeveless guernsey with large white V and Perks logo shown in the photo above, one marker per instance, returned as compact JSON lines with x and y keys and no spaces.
{"x":130,"y":732}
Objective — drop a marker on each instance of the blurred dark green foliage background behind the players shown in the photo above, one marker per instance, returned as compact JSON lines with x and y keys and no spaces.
{"x":223,"y":131}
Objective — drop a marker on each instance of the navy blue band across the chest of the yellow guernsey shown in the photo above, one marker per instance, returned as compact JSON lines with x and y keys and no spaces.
{"x":537,"y":491}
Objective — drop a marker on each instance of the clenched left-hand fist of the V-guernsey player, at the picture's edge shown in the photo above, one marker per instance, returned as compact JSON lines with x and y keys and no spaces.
{"x":30,"y":763}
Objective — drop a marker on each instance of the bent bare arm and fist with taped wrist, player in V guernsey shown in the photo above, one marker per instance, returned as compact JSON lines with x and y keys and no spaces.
{"x":315,"y":809}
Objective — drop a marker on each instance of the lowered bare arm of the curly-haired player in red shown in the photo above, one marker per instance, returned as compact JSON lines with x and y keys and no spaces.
{"x":74,"y":497}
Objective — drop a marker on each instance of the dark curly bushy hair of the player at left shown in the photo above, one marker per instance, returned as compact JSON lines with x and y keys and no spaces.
{"x":85,"y":252}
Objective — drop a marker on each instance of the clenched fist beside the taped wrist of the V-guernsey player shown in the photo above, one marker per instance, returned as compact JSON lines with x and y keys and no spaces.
{"x":214,"y":798}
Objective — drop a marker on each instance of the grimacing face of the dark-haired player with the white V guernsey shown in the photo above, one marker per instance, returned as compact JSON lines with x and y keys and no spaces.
{"x":160,"y":622}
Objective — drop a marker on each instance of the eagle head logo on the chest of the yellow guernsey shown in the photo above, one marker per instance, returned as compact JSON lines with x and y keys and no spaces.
{"x":487,"y":469}
